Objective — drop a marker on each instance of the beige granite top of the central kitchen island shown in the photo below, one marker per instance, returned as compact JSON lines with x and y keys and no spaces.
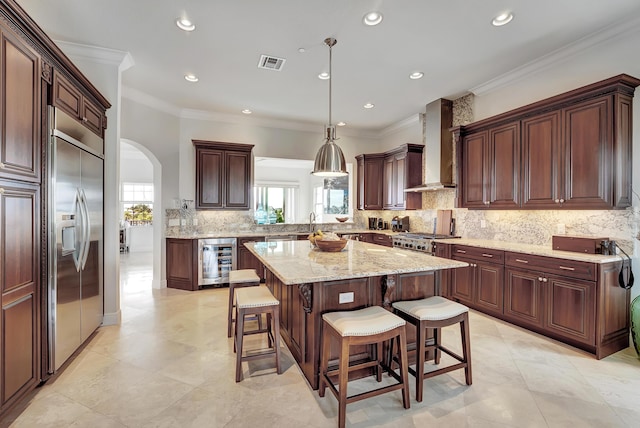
{"x":296,"y":262}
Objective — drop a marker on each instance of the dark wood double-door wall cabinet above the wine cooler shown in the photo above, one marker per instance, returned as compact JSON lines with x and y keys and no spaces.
{"x":223,"y":175}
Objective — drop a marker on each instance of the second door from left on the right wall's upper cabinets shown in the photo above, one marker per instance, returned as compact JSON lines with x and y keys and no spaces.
{"x":504,"y":156}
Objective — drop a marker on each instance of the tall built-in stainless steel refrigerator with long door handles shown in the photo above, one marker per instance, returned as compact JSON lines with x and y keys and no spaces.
{"x":75,"y":236}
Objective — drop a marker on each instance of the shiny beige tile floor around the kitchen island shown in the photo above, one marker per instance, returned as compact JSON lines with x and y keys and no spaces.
{"x":170,"y":364}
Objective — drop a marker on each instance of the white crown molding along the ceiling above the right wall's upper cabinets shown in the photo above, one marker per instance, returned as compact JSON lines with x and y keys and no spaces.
{"x":560,"y":55}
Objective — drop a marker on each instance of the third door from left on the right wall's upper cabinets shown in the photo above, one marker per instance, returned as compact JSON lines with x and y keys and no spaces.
{"x":540,"y":160}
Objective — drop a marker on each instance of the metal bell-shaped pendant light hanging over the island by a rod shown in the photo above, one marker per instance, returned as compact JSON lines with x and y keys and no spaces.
{"x":330,"y":160}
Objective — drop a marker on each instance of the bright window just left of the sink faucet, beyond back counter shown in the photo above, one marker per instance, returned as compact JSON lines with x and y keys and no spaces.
{"x":274,"y":203}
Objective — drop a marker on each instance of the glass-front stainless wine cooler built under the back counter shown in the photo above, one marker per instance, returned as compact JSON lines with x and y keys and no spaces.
{"x":216,"y":257}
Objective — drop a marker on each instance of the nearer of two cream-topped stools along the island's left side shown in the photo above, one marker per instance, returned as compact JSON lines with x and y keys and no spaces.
{"x":256,"y":301}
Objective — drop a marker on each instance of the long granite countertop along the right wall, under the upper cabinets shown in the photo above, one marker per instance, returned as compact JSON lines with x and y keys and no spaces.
{"x":538,"y":250}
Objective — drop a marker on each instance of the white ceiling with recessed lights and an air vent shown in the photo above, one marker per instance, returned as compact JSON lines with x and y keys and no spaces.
{"x":451,"y":41}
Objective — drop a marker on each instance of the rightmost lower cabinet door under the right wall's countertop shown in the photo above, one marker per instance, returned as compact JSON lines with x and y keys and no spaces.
{"x":570,"y":309}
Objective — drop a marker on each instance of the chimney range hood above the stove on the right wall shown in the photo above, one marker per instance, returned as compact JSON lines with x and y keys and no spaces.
{"x":438,"y":147}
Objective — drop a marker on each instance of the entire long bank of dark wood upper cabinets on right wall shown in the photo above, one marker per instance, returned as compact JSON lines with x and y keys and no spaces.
{"x":570,"y":151}
